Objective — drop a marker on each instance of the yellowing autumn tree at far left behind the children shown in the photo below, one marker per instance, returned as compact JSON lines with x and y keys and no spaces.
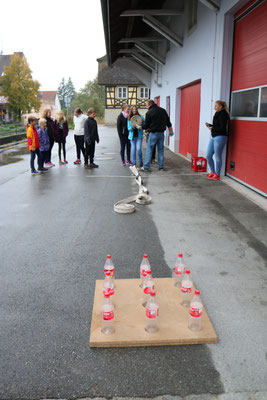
{"x":20,"y":88}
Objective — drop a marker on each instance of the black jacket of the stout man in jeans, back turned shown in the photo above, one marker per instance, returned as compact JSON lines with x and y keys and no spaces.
{"x":156,"y":119}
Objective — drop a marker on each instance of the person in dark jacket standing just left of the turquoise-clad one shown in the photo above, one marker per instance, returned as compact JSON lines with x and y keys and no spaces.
{"x":123,"y":133}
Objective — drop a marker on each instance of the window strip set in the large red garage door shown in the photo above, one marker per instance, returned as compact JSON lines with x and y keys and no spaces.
{"x":251,"y":103}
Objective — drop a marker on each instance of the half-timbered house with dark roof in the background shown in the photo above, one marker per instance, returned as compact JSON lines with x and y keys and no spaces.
{"x":121,"y":86}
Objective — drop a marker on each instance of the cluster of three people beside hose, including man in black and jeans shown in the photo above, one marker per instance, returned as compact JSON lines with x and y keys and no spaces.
{"x":131,"y":135}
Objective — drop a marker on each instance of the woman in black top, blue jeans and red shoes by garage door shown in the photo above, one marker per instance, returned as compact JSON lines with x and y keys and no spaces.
{"x":219,"y":133}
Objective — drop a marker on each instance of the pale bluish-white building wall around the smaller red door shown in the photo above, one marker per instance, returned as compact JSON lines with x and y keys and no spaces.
{"x":206,"y":56}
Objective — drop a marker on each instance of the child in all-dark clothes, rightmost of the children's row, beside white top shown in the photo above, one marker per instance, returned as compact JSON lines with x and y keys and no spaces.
{"x":90,"y":137}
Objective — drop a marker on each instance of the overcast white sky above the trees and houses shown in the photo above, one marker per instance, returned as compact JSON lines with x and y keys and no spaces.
{"x":60,"y":38}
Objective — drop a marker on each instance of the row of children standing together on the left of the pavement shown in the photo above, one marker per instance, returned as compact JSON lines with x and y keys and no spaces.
{"x":41,"y":139}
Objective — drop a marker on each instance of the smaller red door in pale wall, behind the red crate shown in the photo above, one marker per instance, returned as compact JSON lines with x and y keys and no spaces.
{"x":189,"y":120}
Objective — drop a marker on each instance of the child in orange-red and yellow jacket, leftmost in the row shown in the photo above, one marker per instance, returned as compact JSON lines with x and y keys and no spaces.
{"x":34,"y":145}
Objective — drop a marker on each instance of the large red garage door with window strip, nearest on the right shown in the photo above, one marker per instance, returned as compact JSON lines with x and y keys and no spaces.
{"x":247,"y":148}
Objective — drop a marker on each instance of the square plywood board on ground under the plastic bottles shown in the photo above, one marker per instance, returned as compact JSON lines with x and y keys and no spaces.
{"x":130,"y":318}
